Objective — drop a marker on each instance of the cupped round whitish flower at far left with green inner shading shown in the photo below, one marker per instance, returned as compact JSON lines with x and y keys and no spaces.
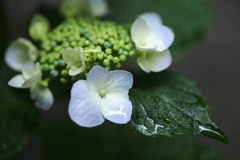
{"x":19,"y":52}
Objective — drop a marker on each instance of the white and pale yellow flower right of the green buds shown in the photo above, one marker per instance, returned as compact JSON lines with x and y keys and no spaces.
{"x":152,"y":38}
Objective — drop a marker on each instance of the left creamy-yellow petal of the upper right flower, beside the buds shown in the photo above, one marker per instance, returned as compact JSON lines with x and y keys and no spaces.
{"x":141,"y":35}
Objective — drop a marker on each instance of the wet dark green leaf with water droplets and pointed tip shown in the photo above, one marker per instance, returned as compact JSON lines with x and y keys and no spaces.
{"x":167,"y":103}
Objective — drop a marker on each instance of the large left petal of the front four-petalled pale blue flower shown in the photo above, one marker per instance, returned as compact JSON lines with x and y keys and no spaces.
{"x":84,"y":106}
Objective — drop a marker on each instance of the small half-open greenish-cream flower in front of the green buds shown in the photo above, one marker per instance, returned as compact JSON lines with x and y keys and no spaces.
{"x":75,"y":60}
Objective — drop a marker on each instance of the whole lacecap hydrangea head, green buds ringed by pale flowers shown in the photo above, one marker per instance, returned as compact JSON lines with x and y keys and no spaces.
{"x":85,"y":51}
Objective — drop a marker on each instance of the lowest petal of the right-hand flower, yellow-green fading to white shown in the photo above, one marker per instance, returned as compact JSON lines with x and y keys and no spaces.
{"x":155,"y":61}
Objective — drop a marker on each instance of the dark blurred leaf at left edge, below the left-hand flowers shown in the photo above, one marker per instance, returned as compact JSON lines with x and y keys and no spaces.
{"x":18,"y":119}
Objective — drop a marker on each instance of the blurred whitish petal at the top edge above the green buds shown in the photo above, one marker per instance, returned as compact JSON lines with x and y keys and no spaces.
{"x":98,"y":7}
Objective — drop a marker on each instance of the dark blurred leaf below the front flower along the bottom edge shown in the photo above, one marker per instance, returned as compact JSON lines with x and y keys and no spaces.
{"x":62,"y":139}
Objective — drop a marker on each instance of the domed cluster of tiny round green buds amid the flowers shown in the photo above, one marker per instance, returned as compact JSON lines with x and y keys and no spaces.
{"x":100,"y":43}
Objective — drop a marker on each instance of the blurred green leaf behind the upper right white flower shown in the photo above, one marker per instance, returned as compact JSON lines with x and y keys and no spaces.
{"x":189,"y":19}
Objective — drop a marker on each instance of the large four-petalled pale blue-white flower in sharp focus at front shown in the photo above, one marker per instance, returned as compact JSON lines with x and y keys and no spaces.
{"x":103,"y":95}
